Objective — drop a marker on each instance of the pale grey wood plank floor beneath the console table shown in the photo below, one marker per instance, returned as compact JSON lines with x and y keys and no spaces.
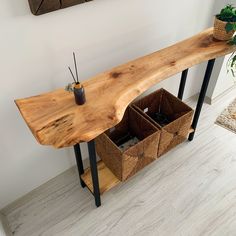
{"x":190,"y":191}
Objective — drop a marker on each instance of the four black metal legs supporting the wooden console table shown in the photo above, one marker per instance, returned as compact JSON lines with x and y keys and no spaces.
{"x":91,"y":144}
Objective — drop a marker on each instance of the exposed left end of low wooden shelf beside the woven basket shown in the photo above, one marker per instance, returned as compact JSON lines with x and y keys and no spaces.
{"x":107,"y":179}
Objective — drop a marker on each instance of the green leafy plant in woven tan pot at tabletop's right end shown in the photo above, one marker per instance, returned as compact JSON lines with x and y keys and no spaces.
{"x":225,"y":23}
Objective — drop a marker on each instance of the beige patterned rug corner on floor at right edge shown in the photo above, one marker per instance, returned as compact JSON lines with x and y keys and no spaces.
{"x":227,"y":119}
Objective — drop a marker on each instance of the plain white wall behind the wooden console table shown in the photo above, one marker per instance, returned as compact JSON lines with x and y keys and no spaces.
{"x":34,"y":53}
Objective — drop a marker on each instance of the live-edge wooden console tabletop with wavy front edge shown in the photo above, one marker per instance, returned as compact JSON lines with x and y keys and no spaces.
{"x":56,"y":120}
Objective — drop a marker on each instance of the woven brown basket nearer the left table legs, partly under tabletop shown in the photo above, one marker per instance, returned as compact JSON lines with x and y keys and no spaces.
{"x":125,"y":164}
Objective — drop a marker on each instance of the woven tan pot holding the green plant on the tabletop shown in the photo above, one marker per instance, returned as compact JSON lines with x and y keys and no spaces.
{"x":220,"y":31}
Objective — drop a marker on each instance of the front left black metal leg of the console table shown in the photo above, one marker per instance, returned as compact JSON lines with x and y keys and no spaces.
{"x":94,"y":172}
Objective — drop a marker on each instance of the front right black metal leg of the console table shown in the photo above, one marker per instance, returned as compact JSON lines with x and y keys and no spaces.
{"x":202,"y":95}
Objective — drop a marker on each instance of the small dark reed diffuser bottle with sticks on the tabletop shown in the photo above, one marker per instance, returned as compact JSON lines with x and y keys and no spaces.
{"x":76,"y":87}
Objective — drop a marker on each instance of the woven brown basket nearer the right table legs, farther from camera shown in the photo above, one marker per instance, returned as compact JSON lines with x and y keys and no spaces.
{"x":178,"y":113}
